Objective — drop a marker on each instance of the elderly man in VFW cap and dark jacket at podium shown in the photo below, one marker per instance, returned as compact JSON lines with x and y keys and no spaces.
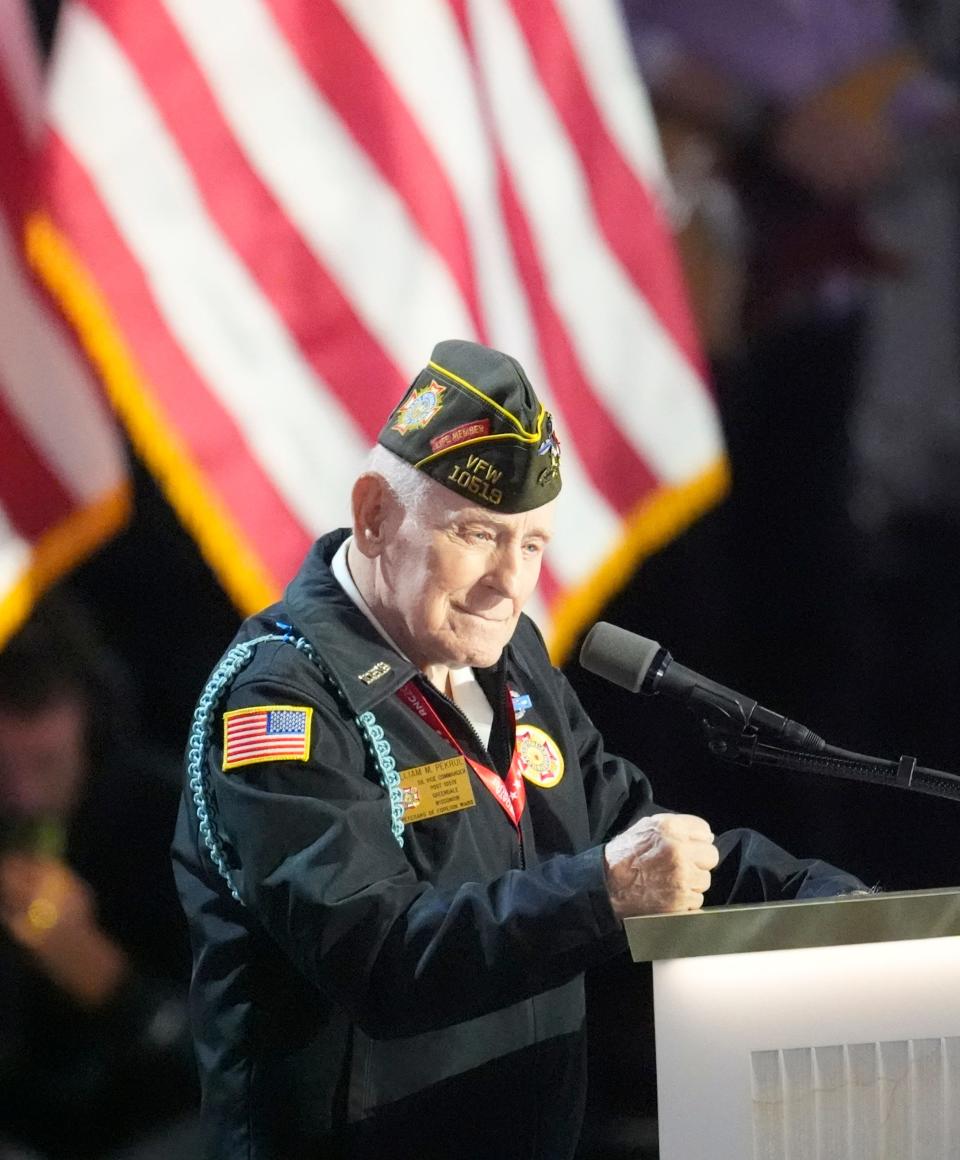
{"x":403,"y":842}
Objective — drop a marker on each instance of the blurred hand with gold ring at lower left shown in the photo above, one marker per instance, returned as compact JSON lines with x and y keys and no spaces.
{"x":52,"y":913}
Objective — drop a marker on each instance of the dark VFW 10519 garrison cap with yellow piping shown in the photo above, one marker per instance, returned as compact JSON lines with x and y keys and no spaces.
{"x":472,"y":423}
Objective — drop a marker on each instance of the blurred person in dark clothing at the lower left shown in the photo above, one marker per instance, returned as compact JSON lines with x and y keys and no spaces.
{"x":94,"y":1053}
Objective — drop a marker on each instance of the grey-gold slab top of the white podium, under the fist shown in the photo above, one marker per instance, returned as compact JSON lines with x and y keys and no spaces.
{"x":790,"y":925}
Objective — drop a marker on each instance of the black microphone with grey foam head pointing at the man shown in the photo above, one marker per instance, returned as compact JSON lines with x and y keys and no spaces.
{"x":643,"y":666}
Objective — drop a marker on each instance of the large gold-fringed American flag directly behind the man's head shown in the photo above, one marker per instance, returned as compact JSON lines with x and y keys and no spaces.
{"x":263,"y":215}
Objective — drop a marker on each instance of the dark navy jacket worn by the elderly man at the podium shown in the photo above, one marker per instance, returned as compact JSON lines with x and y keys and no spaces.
{"x":370,"y":1000}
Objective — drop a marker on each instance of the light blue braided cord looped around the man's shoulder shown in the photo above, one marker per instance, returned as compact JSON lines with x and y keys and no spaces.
{"x":215,"y":692}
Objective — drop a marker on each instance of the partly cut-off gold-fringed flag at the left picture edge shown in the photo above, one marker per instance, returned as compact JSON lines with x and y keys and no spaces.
{"x":63,"y":476}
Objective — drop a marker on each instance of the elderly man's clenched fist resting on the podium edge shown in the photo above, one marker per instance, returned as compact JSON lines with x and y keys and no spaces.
{"x":661,"y":865}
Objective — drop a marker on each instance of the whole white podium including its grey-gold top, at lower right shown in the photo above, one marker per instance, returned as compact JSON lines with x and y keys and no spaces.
{"x":811,"y":1031}
